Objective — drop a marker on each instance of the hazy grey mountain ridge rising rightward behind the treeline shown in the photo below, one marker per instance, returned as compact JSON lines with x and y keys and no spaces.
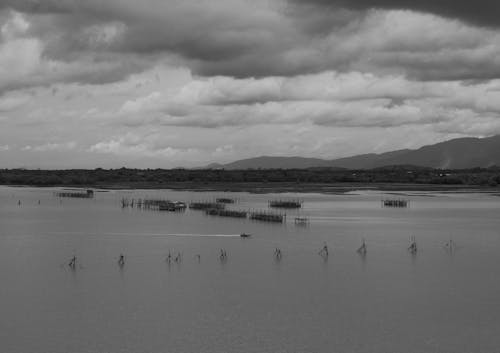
{"x":453,"y":154}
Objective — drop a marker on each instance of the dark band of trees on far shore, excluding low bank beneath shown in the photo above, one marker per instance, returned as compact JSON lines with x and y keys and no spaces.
{"x":167,"y":177}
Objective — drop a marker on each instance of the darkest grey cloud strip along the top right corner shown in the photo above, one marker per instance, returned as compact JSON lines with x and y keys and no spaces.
{"x":479,"y":12}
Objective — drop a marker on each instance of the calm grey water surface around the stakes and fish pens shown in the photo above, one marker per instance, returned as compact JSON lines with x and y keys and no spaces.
{"x":388,"y":301}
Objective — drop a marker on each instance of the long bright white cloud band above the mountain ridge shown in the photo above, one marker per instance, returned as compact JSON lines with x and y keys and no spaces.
{"x":328,"y":98}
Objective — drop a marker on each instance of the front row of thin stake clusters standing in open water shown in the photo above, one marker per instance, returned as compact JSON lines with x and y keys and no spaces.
{"x":223,"y":257}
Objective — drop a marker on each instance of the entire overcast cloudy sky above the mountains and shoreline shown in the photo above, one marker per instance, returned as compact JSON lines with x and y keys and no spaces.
{"x":166,"y":83}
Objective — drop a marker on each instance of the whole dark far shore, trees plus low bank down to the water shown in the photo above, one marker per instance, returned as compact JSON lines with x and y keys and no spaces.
{"x":319,"y":180}
